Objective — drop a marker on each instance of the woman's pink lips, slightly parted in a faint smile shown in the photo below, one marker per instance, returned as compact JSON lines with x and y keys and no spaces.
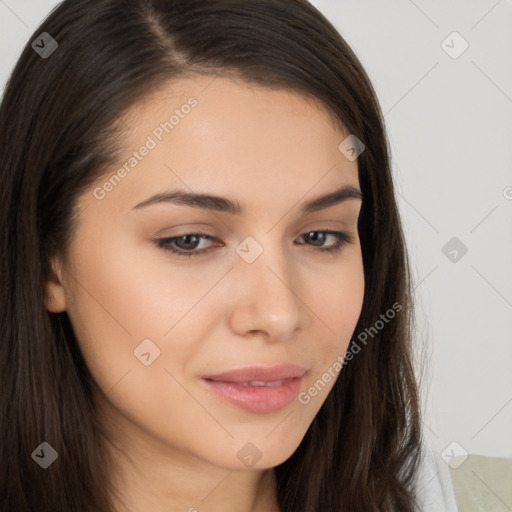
{"x":258,"y":389}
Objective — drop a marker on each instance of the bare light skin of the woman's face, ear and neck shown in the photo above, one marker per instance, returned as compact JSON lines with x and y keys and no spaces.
{"x":271,"y":150}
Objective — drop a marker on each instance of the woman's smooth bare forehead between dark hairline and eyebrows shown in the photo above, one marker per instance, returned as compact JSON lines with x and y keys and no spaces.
{"x":227,"y":137}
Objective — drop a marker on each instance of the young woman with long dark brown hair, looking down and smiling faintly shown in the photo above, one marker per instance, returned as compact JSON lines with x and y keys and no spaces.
{"x":206,"y":301}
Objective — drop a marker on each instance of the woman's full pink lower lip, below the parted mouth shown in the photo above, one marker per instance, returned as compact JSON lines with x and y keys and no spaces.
{"x":260,"y":399}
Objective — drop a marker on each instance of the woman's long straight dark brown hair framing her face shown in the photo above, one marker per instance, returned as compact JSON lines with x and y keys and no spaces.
{"x":59,"y":131}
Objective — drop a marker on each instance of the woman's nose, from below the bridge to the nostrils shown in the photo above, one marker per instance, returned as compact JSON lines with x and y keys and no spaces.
{"x":267,"y":297}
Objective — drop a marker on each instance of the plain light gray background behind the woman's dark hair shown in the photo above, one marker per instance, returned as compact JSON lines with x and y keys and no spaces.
{"x":450,"y":126}
